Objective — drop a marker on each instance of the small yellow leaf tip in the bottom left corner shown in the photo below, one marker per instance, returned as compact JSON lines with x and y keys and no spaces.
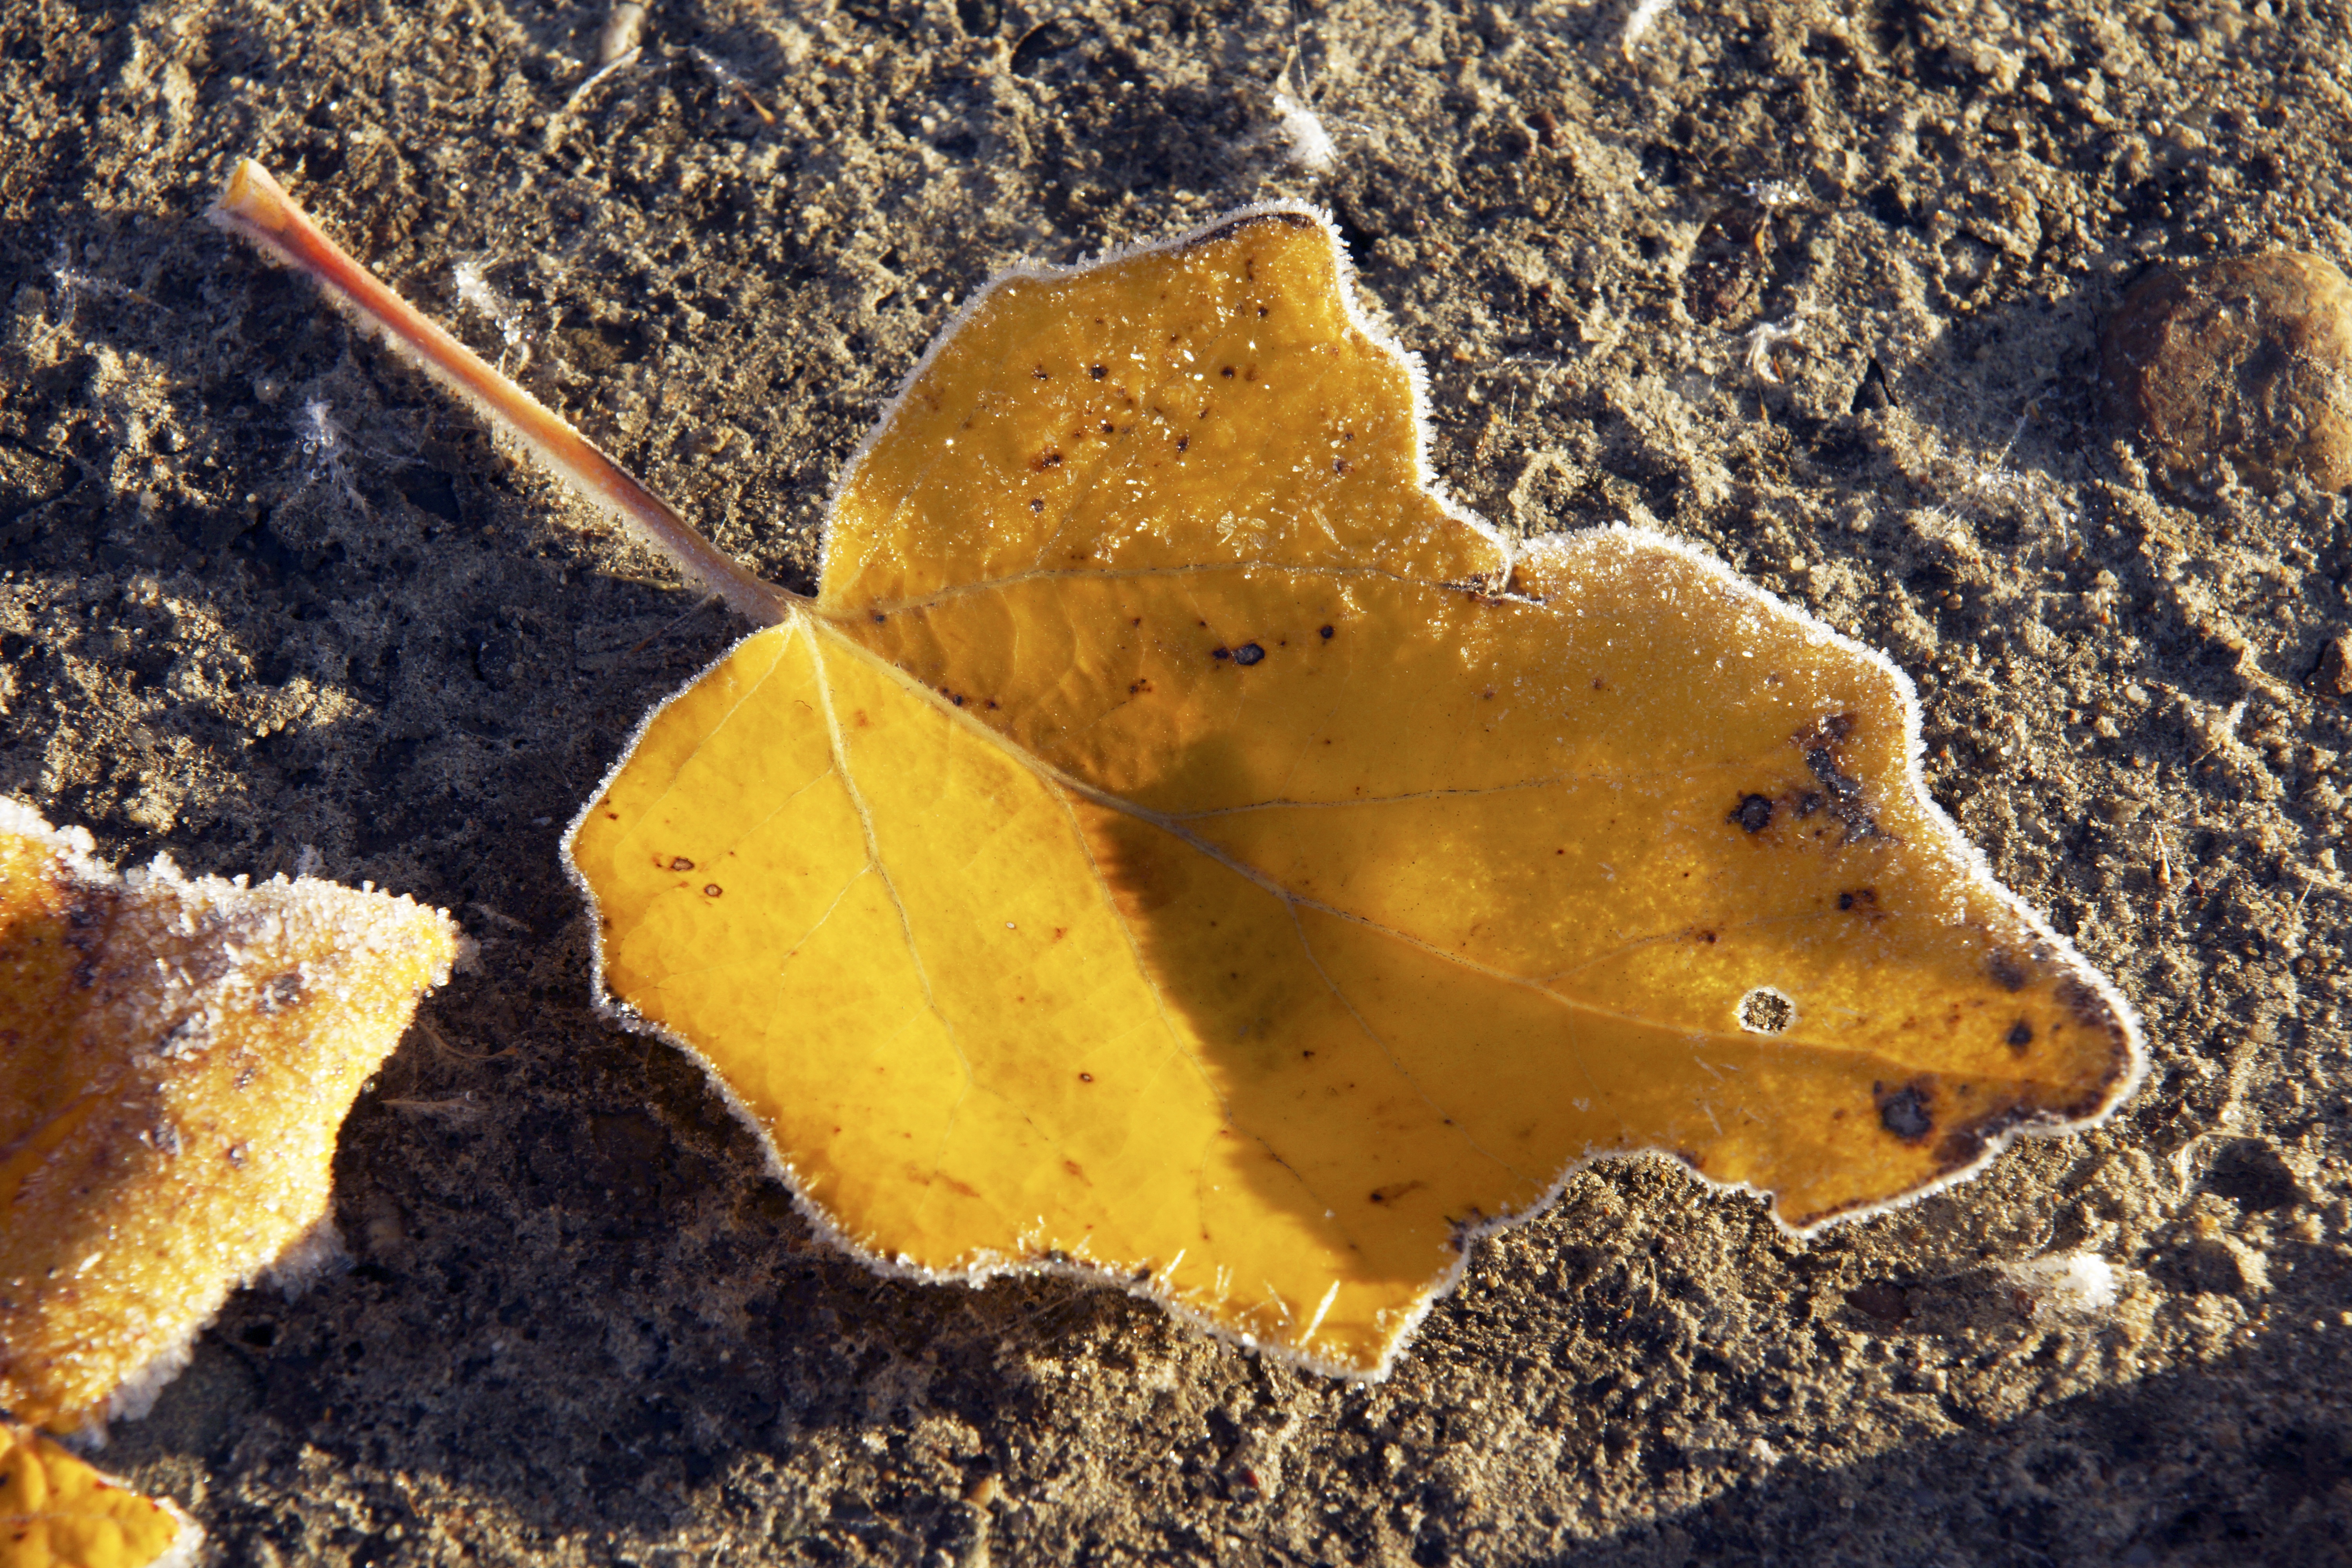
{"x":60,"y":1513}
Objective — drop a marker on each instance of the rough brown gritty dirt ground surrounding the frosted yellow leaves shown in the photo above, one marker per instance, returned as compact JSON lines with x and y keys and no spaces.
{"x":262,"y":591}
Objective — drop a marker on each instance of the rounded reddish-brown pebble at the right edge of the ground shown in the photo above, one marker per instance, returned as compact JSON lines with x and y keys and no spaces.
{"x":2243,"y":363}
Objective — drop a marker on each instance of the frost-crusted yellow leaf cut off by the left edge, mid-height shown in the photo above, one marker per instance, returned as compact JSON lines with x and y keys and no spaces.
{"x":175,"y":1061}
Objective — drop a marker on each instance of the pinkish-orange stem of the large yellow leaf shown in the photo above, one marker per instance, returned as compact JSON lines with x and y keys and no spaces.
{"x":260,"y":210}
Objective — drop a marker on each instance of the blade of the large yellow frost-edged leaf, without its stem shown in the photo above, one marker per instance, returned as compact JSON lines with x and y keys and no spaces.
{"x":1182,"y":845}
